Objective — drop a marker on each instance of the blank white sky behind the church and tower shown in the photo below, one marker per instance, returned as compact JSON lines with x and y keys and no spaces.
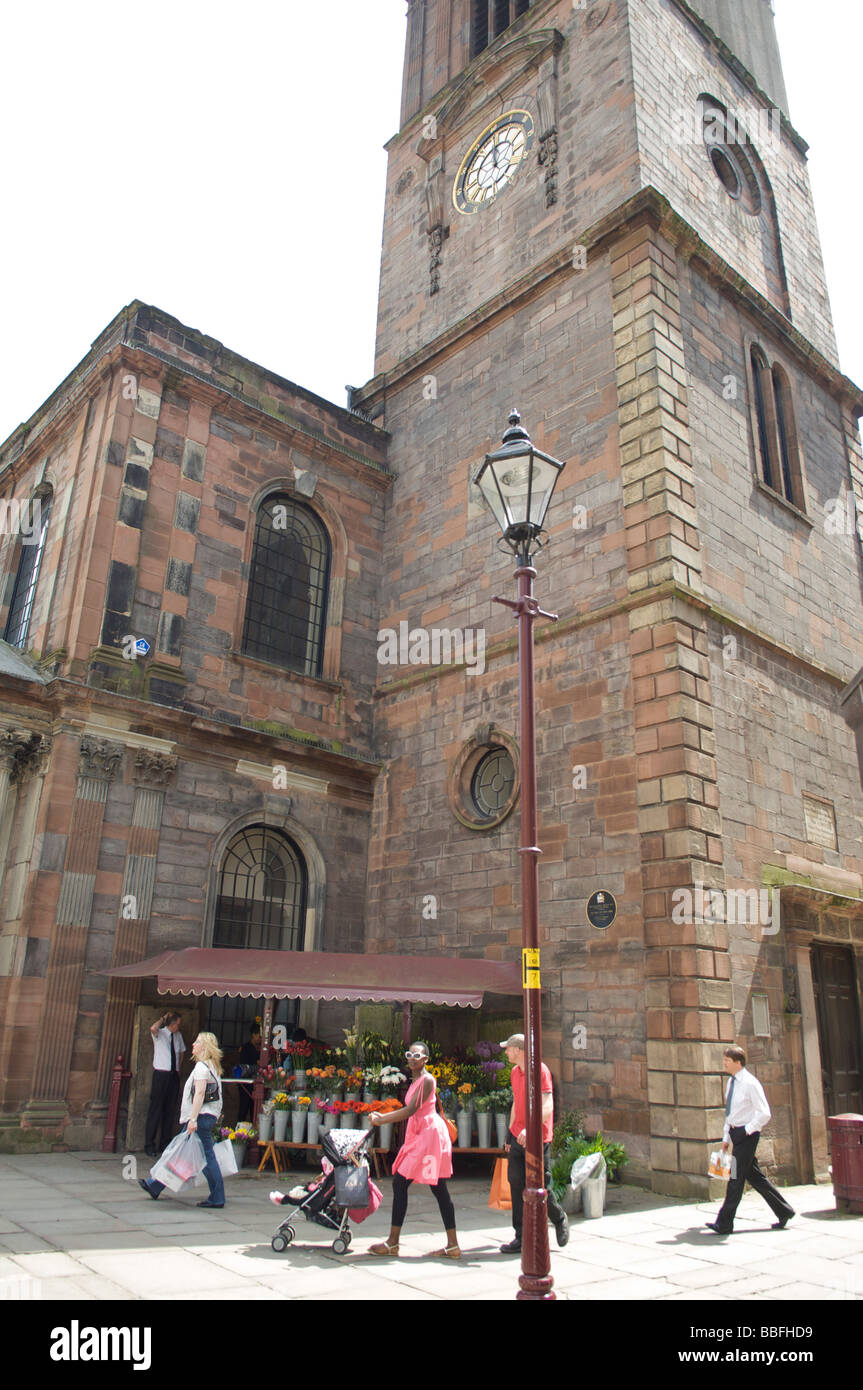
{"x":226,"y":163}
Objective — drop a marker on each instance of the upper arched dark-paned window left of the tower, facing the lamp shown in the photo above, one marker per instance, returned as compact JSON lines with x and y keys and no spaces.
{"x":288,"y":582}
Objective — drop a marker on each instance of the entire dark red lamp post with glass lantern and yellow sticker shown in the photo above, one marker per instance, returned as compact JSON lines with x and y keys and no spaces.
{"x":518,"y":483}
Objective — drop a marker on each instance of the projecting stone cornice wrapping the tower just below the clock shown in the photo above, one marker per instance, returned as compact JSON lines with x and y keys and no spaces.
{"x":650,"y":206}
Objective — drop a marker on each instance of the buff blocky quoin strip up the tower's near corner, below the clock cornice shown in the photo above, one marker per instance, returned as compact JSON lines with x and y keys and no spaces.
{"x":689,"y":978}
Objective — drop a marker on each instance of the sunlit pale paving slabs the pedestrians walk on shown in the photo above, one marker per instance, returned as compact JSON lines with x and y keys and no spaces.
{"x":77,"y":1227}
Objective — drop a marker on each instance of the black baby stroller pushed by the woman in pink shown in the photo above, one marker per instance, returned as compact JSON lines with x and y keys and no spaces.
{"x":344,"y":1193}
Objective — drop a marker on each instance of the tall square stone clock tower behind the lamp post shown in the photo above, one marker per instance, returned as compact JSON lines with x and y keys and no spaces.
{"x":601,"y":213}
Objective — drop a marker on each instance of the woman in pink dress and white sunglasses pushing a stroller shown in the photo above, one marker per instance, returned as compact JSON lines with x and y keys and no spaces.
{"x":426,"y":1156}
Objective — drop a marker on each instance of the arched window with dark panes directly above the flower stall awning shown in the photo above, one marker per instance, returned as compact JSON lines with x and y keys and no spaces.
{"x":261,"y":907}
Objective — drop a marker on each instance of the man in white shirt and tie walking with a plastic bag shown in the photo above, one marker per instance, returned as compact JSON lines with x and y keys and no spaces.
{"x":747,"y":1113}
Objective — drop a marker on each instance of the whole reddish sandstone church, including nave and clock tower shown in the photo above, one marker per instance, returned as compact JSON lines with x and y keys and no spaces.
{"x":255,"y":687}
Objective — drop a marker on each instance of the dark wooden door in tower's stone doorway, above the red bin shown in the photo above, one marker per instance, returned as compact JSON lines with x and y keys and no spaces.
{"x":836,"y":992}
